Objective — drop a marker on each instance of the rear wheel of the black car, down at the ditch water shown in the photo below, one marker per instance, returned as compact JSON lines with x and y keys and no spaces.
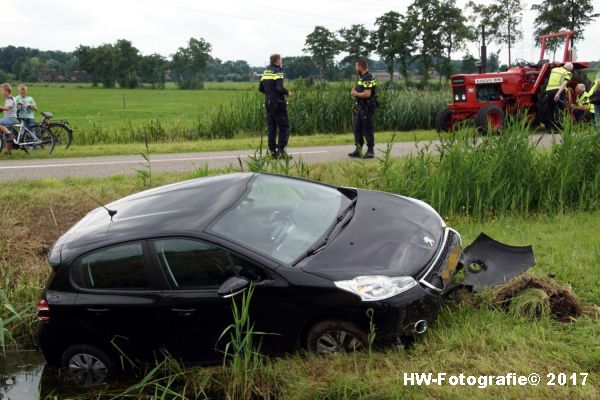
{"x":87,"y":364}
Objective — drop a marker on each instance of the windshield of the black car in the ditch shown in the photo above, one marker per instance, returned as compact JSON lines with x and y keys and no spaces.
{"x":281,"y":217}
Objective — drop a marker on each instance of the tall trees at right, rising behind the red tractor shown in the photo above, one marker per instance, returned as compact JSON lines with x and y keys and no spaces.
{"x":430,"y":31}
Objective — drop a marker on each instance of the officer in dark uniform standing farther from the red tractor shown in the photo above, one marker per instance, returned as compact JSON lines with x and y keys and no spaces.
{"x":271,"y":84}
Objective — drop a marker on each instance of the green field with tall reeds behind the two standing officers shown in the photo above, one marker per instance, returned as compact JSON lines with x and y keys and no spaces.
{"x":222,"y":110}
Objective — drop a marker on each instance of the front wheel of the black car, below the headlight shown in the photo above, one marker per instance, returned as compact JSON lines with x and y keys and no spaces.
{"x":334,"y":336}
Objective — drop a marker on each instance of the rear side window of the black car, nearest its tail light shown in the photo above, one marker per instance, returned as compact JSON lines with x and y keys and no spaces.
{"x":118,"y":268}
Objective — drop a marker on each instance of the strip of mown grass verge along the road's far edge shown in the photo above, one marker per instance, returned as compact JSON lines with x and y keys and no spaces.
{"x":242,"y":142}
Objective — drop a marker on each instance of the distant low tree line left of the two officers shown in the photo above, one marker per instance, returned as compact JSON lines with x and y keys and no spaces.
{"x":123,"y":64}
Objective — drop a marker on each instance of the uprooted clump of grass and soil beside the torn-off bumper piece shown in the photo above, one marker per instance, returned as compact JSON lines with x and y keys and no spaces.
{"x":532,"y":296}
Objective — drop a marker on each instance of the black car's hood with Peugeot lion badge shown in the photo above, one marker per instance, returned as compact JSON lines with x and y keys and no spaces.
{"x":388,"y":235}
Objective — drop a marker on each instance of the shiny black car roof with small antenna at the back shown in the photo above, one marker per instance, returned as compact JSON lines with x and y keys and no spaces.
{"x":187,"y":206}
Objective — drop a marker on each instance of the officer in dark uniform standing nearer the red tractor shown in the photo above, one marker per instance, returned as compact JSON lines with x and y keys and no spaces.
{"x":365,"y":93}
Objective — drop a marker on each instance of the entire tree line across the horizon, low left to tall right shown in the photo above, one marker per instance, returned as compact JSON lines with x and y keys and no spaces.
{"x":420,"y":41}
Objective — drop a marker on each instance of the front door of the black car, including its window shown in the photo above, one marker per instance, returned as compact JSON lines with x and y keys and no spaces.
{"x":197,"y":316}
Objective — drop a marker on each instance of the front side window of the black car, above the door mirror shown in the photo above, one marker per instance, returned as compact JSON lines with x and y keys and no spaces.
{"x":192,"y":264}
